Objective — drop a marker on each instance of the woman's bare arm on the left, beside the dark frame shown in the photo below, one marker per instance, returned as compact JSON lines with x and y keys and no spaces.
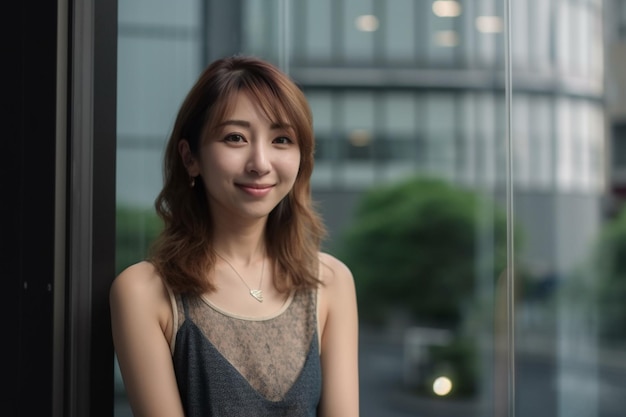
{"x":141,"y":319}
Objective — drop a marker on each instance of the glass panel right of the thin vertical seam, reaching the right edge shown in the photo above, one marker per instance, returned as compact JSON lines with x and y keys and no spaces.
{"x":568,"y":208}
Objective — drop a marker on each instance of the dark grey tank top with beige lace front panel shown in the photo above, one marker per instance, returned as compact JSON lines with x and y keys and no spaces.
{"x":231,"y":366}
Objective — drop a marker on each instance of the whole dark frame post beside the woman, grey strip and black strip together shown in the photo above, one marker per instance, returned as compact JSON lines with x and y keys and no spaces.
{"x":91,"y":204}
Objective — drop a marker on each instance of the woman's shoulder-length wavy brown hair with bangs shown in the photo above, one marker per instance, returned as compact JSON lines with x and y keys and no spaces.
{"x":183,"y":253}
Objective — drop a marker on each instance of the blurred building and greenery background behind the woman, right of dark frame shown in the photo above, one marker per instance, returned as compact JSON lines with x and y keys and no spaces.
{"x":433,"y":173}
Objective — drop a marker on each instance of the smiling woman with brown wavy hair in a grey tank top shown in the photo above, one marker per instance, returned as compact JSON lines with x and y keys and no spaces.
{"x":237,"y":312}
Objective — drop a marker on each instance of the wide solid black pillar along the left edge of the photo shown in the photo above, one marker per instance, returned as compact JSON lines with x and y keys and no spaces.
{"x":27,"y":203}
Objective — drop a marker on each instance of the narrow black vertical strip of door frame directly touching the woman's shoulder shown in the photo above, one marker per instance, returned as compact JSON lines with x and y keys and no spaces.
{"x":103,"y":244}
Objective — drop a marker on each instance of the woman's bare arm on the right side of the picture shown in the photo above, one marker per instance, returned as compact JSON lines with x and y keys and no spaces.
{"x":339,"y":340}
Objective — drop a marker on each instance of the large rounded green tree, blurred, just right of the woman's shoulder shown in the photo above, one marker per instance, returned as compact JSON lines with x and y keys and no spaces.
{"x":414,"y":245}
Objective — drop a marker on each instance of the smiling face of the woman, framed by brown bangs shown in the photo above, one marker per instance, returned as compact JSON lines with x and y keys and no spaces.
{"x":248,"y":163}
